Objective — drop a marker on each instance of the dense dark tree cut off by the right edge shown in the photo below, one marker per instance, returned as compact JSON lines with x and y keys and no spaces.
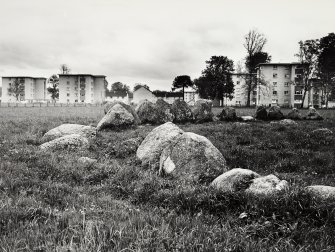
{"x":326,"y":66}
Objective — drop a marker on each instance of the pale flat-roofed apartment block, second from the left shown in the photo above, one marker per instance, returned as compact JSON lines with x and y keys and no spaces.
{"x":82,"y":88}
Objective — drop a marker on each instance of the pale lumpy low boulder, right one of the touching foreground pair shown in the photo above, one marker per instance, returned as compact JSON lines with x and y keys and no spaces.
{"x":267,"y":185}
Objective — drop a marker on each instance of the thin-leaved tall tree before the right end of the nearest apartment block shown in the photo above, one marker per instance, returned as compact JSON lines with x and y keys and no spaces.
{"x":308,"y":55}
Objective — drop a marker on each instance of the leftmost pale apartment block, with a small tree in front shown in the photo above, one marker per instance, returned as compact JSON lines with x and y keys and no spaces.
{"x":33,"y":90}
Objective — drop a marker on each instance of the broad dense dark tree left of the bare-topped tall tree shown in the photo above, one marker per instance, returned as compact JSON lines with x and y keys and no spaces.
{"x":216,"y":81}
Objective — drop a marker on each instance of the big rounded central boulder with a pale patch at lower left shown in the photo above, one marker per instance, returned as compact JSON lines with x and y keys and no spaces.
{"x":193,"y":158}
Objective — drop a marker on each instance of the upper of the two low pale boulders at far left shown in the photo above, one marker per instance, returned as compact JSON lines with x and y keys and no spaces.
{"x":68,"y":129}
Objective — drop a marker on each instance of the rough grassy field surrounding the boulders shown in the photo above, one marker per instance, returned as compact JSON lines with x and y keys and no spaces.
{"x":49,"y":202}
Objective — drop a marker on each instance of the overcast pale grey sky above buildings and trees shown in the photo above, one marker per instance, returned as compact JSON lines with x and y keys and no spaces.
{"x":149,"y":41}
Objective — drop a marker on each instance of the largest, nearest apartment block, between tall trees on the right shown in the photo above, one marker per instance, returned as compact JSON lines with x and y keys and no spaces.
{"x":284,"y":87}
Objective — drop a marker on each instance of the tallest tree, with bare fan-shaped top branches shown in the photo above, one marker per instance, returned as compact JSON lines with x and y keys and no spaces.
{"x":254,"y":43}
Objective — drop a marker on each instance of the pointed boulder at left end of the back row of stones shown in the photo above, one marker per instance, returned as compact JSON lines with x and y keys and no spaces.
{"x":117,"y":117}
